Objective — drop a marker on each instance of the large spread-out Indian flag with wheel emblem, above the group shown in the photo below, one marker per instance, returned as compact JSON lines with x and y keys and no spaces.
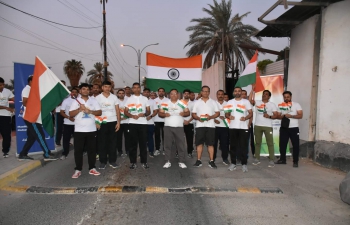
{"x":177,"y":73}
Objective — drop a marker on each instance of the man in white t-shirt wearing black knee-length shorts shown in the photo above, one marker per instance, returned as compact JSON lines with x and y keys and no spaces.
{"x":205,"y":110}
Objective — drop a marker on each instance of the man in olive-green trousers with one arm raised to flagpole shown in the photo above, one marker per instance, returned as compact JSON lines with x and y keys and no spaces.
{"x":265,"y":112}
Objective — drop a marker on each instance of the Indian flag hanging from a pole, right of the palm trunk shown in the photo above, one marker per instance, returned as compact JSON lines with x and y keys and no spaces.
{"x":251,"y":75}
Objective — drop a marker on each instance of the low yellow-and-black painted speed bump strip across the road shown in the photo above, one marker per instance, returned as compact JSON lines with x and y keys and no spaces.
{"x":138,"y":189}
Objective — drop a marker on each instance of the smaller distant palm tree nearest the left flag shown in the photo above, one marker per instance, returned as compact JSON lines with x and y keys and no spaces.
{"x":74,"y":70}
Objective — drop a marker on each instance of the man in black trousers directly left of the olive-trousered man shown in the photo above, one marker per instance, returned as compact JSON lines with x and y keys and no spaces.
{"x":239,"y":111}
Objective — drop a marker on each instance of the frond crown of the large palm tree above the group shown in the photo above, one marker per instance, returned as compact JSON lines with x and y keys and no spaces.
{"x":205,"y":36}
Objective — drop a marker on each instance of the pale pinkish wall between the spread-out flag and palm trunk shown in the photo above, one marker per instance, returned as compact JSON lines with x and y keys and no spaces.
{"x":214,"y":78}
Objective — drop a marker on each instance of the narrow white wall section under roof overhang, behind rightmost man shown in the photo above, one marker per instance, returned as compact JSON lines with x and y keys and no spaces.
{"x":300,"y":70}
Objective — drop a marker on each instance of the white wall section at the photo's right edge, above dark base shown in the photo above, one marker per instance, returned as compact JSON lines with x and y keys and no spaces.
{"x":333,"y":109}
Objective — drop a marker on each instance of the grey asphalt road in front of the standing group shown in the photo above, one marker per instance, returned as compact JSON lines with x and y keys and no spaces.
{"x":310,"y":196}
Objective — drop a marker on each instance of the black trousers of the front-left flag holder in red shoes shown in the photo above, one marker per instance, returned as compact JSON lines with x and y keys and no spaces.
{"x":84,"y":142}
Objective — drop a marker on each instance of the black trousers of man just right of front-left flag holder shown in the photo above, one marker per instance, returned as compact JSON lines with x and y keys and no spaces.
{"x":107,"y":141}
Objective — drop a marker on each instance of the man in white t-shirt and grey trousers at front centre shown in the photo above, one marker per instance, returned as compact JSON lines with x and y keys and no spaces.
{"x":173,"y":111}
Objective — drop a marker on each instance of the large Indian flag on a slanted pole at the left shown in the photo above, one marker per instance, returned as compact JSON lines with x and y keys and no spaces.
{"x":46,"y":93}
